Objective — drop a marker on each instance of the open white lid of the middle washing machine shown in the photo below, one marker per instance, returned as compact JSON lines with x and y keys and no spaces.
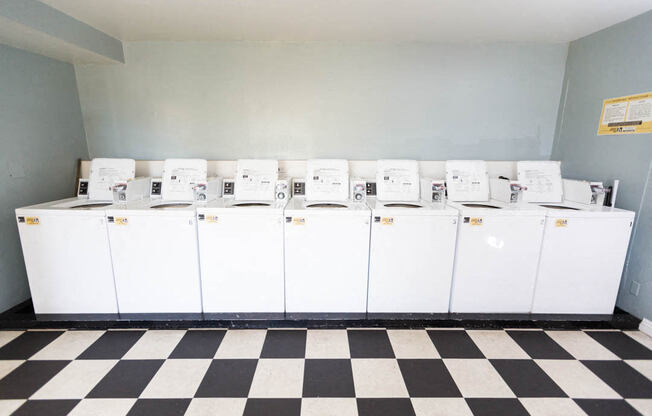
{"x":327,"y":180}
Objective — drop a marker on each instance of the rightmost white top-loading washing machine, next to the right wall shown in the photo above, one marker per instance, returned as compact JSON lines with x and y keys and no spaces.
{"x":583,"y":253}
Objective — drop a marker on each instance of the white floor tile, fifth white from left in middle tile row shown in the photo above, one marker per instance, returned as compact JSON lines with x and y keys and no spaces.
{"x":477,"y":378}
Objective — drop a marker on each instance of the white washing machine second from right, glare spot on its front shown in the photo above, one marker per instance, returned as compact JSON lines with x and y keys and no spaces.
{"x":498,"y":245}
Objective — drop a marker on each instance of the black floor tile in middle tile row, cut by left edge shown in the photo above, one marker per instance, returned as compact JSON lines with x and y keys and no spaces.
{"x":28,"y":378}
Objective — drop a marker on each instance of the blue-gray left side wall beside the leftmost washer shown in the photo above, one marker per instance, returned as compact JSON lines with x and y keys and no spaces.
{"x":41,"y":137}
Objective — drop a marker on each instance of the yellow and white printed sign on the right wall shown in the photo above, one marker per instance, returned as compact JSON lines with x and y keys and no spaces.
{"x":626,"y":115}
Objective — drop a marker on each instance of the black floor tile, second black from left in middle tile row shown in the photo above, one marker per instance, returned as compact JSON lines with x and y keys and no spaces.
{"x":127,"y":379}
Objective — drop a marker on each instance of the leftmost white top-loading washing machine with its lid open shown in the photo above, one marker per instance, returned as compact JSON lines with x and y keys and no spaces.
{"x":66,"y":246}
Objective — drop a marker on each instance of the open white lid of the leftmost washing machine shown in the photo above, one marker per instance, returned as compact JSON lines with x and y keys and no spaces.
{"x":105,"y":173}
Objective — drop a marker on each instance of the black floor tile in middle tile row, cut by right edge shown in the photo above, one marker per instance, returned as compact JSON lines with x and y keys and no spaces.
{"x":627,"y":382}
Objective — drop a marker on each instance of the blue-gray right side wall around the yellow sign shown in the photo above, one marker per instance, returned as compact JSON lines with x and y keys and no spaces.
{"x":614,"y":62}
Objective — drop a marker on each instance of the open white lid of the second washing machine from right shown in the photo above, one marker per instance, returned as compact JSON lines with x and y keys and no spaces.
{"x":467,"y":180}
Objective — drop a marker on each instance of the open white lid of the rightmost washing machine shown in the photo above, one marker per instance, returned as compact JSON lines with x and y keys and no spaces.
{"x":542,"y":179}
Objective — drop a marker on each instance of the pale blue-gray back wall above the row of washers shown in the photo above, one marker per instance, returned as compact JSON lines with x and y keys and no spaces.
{"x":227,"y":100}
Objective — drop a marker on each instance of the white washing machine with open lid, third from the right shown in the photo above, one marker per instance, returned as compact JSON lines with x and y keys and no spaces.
{"x":412,"y":244}
